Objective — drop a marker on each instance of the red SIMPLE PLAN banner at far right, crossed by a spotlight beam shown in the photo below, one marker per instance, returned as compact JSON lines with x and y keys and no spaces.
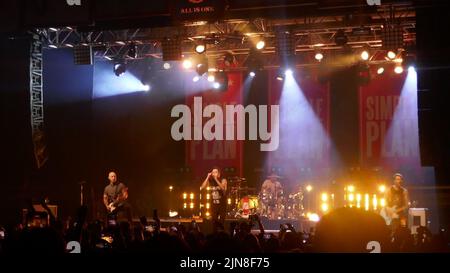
{"x":388,"y":121}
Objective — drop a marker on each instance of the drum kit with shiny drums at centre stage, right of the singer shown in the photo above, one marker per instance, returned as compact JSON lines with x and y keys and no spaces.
{"x":243,"y":201}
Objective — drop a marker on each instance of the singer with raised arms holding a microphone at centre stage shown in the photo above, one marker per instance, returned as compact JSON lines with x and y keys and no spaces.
{"x":218,"y":189}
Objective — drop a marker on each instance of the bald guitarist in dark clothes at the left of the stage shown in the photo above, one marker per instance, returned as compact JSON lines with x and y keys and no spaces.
{"x":115,"y":196}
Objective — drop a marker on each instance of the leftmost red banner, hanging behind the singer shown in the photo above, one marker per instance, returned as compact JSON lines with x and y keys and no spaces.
{"x":202,"y":155}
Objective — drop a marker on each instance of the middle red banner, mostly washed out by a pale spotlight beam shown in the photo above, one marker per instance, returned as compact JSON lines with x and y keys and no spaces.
{"x":304,"y":123}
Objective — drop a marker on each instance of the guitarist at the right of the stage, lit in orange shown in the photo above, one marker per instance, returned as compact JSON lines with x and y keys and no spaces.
{"x":397,"y":202}
